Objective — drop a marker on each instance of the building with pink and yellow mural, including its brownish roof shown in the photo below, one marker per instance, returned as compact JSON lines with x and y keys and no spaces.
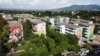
{"x":39,"y":27}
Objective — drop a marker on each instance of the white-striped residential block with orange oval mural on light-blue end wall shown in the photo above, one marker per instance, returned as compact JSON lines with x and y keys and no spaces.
{"x":70,"y":28}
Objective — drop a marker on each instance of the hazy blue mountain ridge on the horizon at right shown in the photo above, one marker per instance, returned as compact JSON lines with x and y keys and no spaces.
{"x":79,"y":7}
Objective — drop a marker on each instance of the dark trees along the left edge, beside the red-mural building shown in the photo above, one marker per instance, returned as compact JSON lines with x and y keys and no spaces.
{"x":4,"y":32}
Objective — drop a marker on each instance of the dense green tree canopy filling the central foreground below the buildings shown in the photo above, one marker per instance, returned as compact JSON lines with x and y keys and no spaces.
{"x":40,"y":46}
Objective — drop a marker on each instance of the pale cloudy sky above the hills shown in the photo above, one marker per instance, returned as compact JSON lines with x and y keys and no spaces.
{"x":43,"y":4}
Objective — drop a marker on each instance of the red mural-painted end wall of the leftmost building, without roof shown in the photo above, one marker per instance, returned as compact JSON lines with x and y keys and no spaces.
{"x":16,"y":33}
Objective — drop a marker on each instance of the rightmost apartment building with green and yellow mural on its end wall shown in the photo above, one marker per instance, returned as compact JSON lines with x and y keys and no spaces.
{"x":88,"y":27}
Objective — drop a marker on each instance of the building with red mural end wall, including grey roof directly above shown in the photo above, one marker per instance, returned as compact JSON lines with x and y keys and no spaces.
{"x":16,"y":31}
